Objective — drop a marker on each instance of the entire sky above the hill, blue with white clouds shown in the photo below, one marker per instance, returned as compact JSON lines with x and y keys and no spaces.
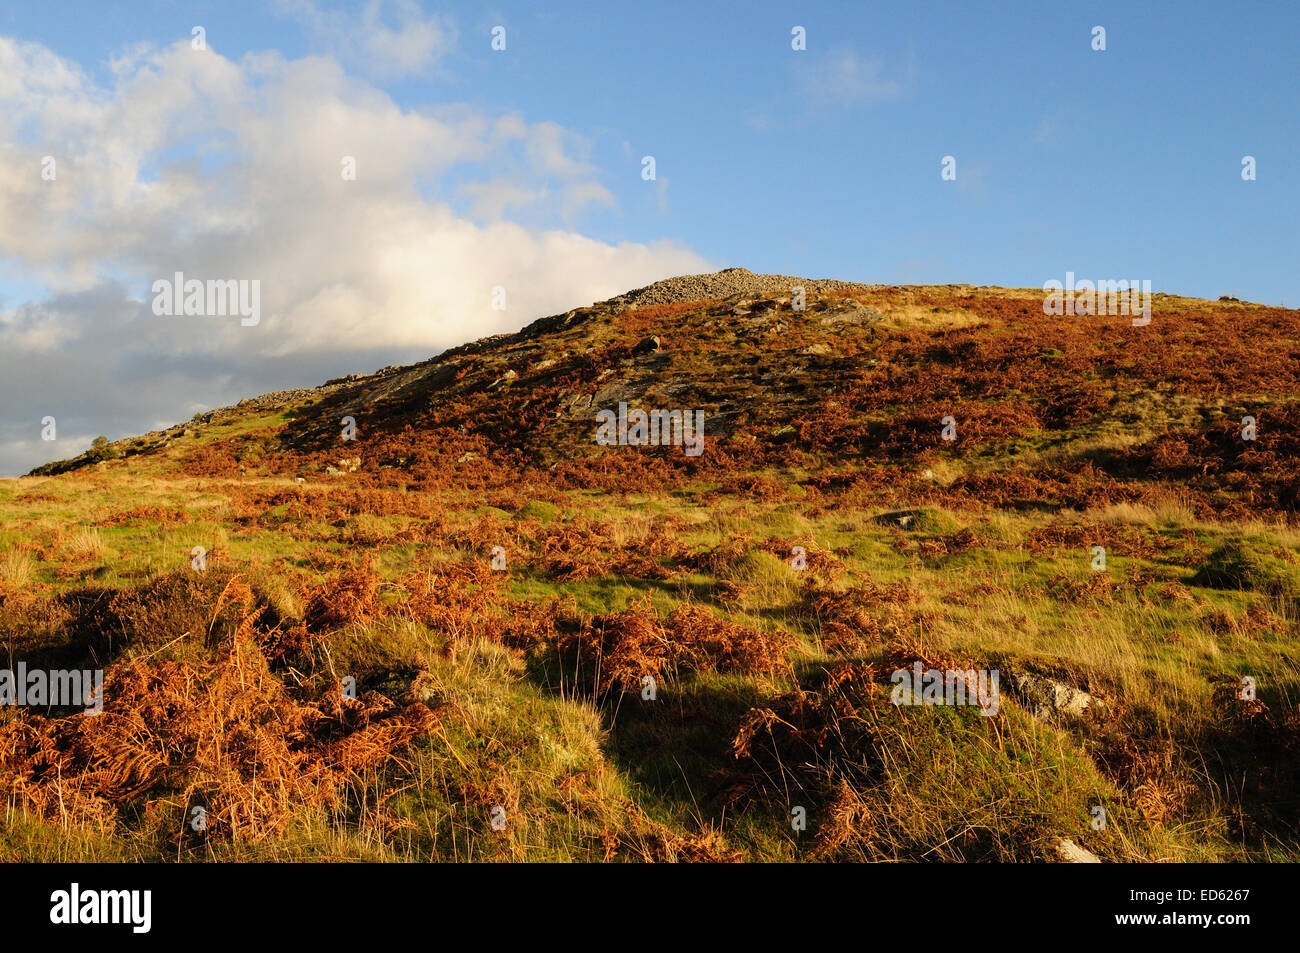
{"x":526,"y":164}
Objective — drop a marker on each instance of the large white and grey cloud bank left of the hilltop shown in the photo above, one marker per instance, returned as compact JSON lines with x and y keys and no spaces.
{"x":192,"y":163}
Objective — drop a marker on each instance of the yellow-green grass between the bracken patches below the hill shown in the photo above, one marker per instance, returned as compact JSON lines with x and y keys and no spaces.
{"x":944,"y":789}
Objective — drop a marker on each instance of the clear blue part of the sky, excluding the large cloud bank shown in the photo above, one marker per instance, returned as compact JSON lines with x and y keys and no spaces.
{"x":1110,"y":164}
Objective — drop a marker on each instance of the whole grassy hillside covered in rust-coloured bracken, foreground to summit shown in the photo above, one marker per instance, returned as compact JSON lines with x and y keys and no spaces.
{"x":826,"y":538}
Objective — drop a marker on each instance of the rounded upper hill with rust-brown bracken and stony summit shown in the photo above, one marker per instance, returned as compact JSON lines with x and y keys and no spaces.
{"x":860,"y":379}
